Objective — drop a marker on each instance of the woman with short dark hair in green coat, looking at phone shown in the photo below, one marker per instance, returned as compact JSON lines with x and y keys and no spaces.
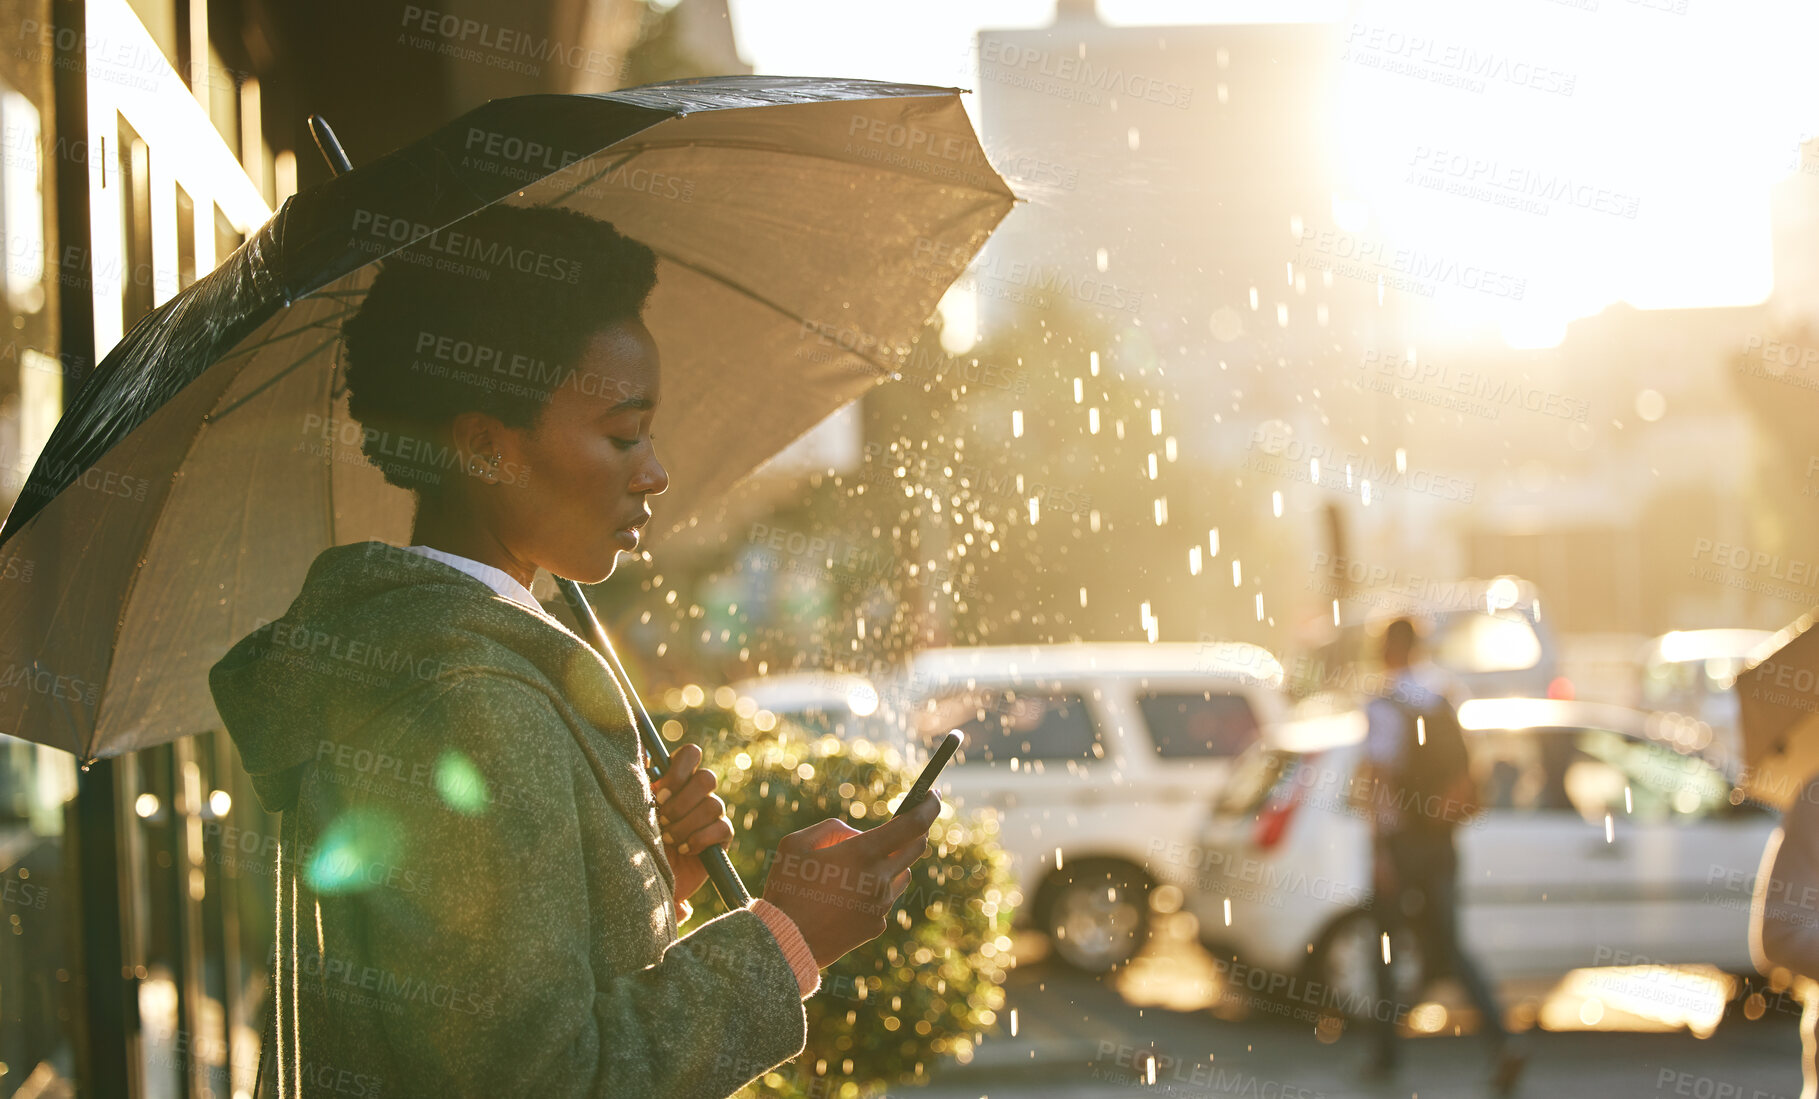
{"x":479,"y":887}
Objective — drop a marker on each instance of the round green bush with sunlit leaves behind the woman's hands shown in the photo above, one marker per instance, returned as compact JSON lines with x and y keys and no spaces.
{"x":930,"y":985}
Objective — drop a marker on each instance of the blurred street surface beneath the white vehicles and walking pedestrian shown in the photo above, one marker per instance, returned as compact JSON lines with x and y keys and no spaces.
{"x":1085,"y":1038}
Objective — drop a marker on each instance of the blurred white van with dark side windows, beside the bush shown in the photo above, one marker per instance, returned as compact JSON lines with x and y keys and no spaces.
{"x":1096,"y":758}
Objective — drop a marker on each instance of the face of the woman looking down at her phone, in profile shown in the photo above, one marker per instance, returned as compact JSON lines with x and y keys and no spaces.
{"x":587,"y":467}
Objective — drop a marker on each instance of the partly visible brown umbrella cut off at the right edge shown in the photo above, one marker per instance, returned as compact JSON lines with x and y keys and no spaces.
{"x":1778,"y":700}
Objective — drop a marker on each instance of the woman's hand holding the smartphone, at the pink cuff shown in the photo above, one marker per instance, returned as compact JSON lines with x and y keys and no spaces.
{"x":839,"y":883}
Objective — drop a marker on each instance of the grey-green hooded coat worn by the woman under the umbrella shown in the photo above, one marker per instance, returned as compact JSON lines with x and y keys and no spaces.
{"x":474,"y":896}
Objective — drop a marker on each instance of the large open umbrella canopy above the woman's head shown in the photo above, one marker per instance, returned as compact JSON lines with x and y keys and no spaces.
{"x":805,"y":232}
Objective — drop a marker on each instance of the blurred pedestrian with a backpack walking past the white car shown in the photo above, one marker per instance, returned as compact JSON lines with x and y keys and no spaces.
{"x":1420,"y":789}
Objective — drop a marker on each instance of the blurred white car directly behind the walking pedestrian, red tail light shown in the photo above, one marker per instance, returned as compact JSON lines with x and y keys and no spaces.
{"x":1603,"y":843}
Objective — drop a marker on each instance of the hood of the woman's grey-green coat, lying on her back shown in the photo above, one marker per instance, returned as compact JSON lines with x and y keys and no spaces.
{"x":374,"y":627}
